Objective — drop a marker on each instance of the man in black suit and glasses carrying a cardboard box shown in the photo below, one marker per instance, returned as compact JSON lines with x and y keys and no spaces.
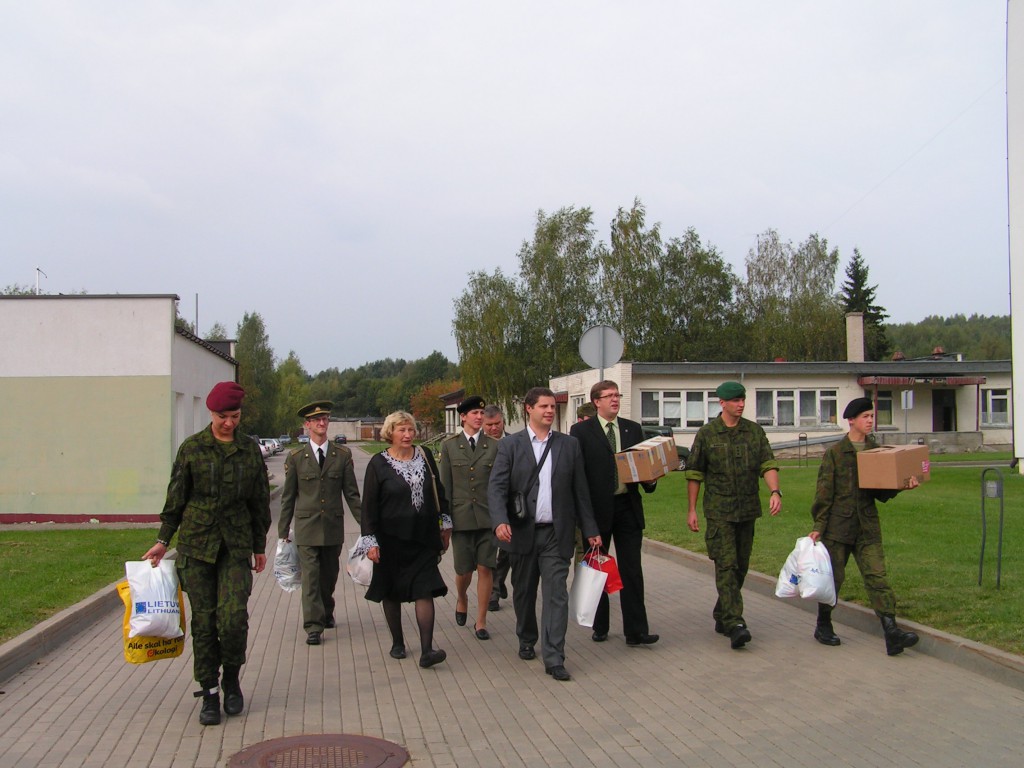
{"x":618,"y":508}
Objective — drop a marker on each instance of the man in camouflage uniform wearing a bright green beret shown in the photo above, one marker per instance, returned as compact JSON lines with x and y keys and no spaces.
{"x":729,"y":457}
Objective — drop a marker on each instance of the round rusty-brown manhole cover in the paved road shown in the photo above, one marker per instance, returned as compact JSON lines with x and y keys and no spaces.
{"x":321,"y":751}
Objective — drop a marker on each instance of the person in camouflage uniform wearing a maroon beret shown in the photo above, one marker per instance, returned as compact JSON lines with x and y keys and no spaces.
{"x":219,"y":503}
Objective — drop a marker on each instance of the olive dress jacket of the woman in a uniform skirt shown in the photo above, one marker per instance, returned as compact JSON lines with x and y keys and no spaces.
{"x":465,"y":475}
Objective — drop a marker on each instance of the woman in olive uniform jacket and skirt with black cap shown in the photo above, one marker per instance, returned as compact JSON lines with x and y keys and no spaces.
{"x":465,"y":465}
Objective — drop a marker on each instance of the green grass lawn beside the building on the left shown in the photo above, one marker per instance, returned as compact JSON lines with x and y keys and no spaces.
{"x":44,"y":572}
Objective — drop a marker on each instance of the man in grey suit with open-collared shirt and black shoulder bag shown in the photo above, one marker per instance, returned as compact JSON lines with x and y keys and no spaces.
{"x":541,"y":545}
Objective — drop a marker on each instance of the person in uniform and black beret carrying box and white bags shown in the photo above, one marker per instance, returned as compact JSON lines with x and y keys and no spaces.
{"x":846,"y":521}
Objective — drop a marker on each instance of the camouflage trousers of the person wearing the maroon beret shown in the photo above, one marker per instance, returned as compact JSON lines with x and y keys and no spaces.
{"x":219,"y":596}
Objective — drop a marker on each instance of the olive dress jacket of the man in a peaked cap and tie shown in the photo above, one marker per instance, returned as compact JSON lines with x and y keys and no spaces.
{"x":312,"y":497}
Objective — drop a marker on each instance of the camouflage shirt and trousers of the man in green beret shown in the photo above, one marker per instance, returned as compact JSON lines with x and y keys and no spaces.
{"x":731,"y":462}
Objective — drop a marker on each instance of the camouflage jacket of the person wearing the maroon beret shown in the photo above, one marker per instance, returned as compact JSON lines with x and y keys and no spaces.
{"x":219,"y":494}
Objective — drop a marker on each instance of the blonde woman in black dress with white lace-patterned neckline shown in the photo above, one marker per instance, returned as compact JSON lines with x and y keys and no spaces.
{"x":406,"y":528}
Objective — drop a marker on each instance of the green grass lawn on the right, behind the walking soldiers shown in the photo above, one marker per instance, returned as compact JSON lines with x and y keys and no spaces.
{"x":932,"y":539}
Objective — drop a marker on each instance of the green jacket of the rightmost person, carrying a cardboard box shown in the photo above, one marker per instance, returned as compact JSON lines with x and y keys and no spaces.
{"x":842,"y":510}
